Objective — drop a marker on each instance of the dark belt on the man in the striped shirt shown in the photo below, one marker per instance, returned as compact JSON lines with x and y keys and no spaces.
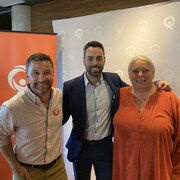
{"x":41,"y":166}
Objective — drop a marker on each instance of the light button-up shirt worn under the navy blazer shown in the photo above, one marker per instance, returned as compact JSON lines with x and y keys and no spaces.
{"x":98,"y":103}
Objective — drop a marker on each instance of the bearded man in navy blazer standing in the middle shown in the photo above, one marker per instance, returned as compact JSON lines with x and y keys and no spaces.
{"x":92,"y":100}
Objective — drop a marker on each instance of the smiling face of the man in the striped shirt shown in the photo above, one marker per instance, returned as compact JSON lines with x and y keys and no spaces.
{"x":40,"y":76}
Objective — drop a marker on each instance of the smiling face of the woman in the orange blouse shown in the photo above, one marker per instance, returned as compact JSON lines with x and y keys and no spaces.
{"x":141,"y":74}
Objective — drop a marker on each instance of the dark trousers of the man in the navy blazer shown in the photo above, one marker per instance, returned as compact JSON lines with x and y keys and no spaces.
{"x":97,"y":154}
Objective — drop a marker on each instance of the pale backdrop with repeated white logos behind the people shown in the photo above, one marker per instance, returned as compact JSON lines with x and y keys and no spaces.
{"x":149,"y":30}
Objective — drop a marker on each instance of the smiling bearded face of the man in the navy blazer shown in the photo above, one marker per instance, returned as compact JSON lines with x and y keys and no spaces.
{"x":94,"y":61}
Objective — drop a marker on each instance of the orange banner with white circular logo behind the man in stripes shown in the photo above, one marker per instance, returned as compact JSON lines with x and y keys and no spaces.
{"x":15,"y":48}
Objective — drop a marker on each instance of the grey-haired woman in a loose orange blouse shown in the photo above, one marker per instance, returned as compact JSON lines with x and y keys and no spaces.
{"x":146,"y":128}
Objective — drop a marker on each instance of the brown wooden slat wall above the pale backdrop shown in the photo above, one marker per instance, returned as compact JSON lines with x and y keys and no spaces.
{"x":43,"y":14}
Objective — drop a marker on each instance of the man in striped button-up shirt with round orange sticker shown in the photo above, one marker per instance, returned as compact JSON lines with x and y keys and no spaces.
{"x":34,"y":116}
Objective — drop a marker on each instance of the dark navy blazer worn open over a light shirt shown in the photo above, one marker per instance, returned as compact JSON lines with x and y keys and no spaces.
{"x":74,"y":104}
